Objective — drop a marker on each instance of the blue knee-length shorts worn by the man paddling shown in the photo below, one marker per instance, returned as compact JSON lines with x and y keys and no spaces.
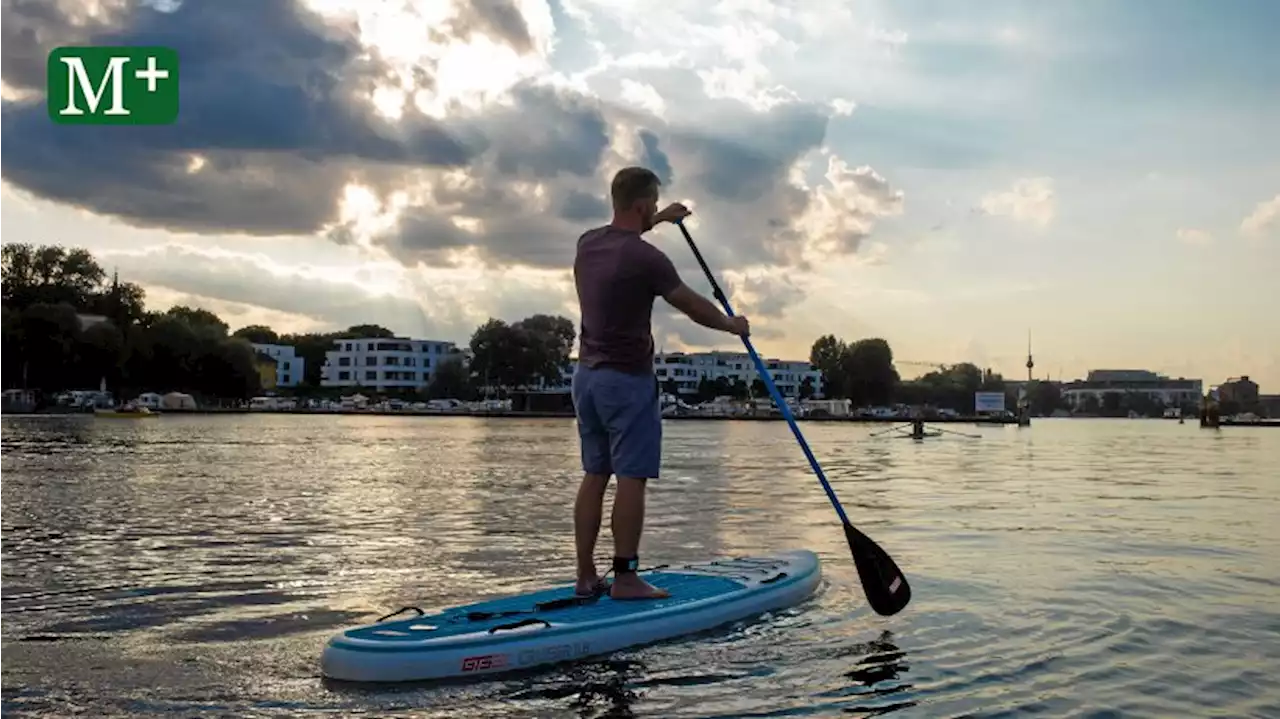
{"x":619,"y":423}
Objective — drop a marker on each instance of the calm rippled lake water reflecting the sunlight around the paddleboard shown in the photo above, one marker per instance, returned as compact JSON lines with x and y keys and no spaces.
{"x":195,"y":566}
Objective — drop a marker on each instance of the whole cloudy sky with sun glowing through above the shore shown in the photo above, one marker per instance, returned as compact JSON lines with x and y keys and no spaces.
{"x":947,"y":176}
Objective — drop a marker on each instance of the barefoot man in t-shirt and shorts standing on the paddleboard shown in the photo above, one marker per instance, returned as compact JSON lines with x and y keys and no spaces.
{"x":615,"y":391}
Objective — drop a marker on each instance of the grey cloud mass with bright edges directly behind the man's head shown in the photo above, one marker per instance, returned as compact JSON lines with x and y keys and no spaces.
{"x":518,"y":228}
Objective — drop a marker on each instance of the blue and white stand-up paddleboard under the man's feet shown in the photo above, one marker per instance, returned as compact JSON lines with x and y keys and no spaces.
{"x":552,"y":626}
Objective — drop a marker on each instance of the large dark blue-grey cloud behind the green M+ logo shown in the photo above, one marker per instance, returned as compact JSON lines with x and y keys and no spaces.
{"x":271,"y":98}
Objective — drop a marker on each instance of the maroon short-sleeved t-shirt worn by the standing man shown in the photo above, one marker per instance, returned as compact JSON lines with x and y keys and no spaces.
{"x":619,"y":276}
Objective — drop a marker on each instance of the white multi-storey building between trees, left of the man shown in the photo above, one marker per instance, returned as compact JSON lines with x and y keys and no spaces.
{"x":383,"y":364}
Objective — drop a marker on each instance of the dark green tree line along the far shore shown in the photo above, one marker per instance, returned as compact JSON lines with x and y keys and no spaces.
{"x":66,"y":324}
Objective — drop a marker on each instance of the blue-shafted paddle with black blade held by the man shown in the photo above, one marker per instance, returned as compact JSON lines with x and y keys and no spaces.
{"x":884,"y":583}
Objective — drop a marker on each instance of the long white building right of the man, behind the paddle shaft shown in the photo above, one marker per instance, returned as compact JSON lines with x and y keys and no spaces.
{"x":688,"y":369}
